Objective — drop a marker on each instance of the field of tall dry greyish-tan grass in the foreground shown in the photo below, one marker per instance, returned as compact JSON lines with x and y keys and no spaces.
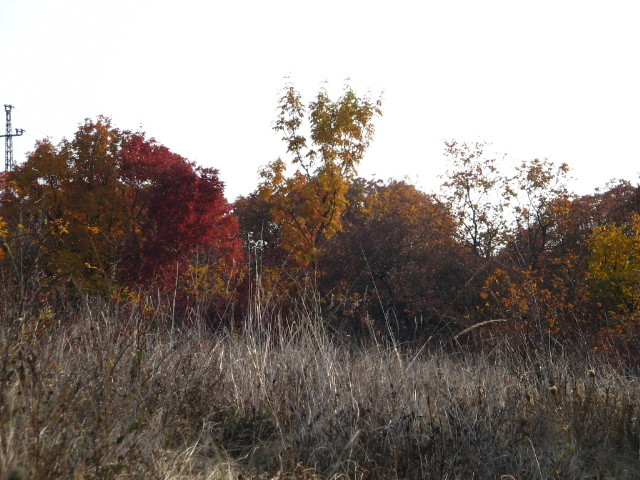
{"x":106,"y":393}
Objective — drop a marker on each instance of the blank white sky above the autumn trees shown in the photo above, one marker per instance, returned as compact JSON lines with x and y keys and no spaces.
{"x":546,"y":79}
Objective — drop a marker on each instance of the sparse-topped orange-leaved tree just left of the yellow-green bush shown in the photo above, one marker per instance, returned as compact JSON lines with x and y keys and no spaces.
{"x":536,"y":283}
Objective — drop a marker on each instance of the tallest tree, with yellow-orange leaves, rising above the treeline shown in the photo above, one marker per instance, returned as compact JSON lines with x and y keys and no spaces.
{"x":308,"y":206}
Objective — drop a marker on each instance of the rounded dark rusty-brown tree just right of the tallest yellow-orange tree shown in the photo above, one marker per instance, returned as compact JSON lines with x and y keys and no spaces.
{"x":396,"y":259}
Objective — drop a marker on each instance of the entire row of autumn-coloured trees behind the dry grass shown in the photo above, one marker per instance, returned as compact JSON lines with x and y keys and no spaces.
{"x":113,"y":212}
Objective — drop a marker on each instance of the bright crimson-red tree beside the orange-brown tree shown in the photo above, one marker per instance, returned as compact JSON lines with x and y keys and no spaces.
{"x":175,"y":208}
